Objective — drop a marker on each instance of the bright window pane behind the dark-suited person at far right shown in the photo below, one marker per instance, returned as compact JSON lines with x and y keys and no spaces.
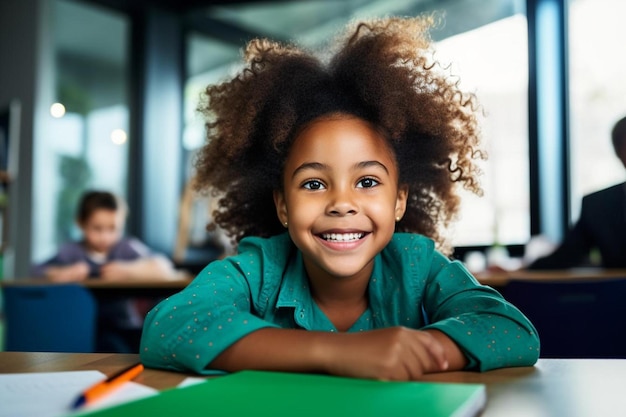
{"x":597,"y":91}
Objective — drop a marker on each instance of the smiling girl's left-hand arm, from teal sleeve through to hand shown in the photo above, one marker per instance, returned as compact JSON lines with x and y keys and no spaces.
{"x":211,"y":325}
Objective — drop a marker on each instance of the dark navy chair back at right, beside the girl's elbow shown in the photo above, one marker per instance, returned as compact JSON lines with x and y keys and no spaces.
{"x":574,"y":319}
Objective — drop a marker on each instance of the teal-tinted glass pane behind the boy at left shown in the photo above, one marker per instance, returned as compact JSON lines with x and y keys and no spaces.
{"x":84,"y":137}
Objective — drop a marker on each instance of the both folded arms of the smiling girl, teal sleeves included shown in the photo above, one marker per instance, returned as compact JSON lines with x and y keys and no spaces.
{"x":230,"y":318}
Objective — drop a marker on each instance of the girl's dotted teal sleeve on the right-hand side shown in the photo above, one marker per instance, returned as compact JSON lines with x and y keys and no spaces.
{"x":489,"y":331}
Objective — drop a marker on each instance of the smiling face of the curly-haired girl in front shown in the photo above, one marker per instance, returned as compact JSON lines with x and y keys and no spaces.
{"x":341,"y":196}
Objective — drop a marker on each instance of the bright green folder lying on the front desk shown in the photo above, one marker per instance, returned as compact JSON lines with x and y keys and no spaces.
{"x":272,"y":394}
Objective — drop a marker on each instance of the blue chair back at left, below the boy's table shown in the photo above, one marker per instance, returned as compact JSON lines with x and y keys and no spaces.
{"x":49,"y":318}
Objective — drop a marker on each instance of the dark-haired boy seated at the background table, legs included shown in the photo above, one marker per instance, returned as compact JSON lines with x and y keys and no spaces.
{"x":105,"y":254}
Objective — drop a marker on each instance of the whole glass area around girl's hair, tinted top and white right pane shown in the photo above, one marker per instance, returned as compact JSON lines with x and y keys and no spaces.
{"x":486,"y":42}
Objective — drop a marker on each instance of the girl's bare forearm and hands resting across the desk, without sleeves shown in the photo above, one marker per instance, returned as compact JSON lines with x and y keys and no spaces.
{"x":395,"y":353}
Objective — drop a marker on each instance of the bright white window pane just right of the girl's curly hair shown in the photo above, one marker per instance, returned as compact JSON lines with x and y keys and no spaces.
{"x":497,"y":71}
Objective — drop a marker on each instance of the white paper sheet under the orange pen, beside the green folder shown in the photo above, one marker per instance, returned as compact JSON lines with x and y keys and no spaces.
{"x":51,"y":394}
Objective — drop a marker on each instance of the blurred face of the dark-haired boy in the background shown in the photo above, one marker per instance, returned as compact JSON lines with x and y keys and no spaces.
{"x":103,"y":229}
